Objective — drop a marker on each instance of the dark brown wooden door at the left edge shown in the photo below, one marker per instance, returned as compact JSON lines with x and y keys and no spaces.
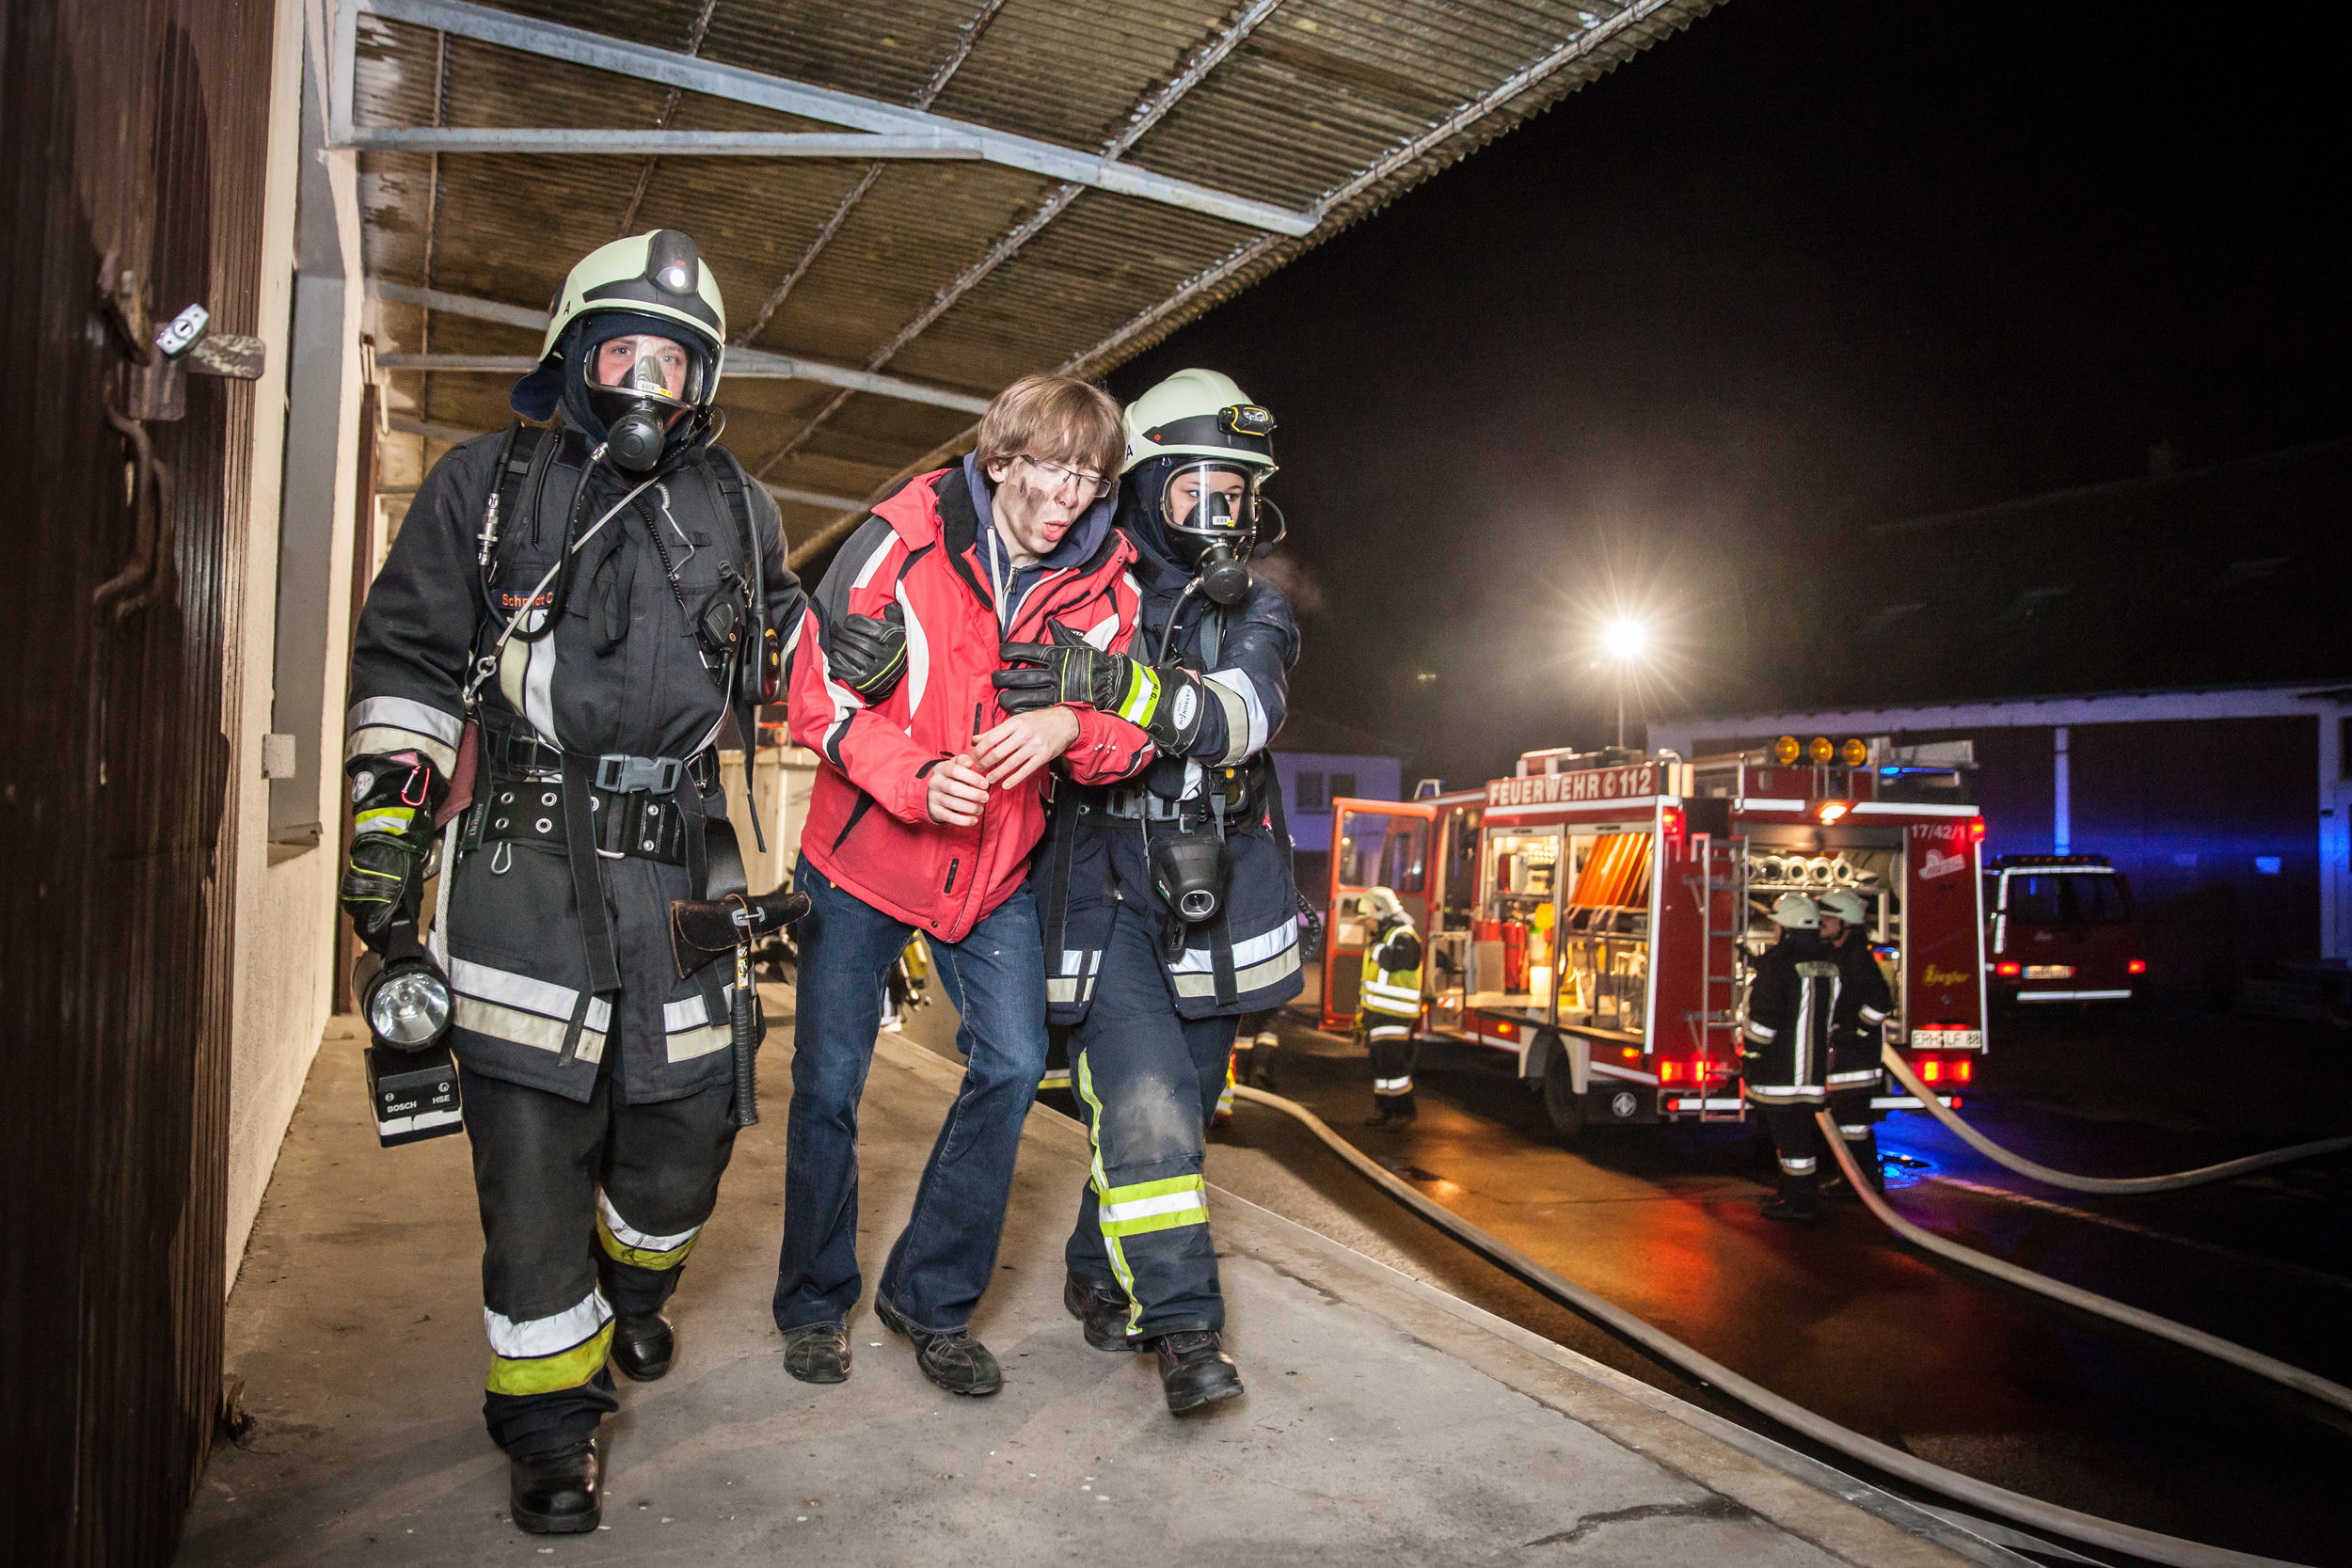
{"x":131,"y":130}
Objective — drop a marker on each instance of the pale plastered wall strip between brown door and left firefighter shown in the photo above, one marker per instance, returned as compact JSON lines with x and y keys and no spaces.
{"x":286,"y":892}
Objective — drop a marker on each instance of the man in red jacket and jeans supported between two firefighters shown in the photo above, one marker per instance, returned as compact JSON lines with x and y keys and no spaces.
{"x":923,"y":817}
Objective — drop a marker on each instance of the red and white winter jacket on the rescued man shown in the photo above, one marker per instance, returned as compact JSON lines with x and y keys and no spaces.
{"x":869,"y":824}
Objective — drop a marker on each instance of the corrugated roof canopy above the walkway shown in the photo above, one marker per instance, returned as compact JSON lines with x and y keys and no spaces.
{"x":956,"y":274}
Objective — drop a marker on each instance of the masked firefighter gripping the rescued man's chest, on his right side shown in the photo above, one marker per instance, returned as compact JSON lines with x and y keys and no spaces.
{"x":1168,"y":904}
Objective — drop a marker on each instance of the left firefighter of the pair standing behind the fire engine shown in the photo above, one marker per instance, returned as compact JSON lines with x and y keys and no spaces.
{"x":1786,"y":1059}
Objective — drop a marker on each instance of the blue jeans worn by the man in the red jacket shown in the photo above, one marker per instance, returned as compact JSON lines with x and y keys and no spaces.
{"x":949,"y":1247}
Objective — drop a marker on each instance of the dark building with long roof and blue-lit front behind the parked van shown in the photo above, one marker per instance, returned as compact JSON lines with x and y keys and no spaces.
{"x":2151,"y":671}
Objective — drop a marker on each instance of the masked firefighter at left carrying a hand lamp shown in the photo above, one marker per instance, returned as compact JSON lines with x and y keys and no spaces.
{"x":568,"y":622}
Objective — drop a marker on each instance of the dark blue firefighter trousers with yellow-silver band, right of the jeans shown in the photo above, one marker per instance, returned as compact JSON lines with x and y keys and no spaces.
{"x":1149,"y":1083}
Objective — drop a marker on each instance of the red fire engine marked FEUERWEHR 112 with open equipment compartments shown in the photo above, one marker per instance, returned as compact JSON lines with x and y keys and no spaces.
{"x":1598,"y":913}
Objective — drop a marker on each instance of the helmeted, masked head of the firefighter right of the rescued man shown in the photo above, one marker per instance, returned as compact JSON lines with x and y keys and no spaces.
{"x":1217,"y":450}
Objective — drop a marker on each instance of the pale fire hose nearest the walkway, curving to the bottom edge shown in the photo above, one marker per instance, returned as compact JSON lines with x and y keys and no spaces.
{"x":1892,"y":1461}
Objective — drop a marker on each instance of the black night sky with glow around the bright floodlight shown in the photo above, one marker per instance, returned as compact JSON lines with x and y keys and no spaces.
{"x":1810,"y":267}
